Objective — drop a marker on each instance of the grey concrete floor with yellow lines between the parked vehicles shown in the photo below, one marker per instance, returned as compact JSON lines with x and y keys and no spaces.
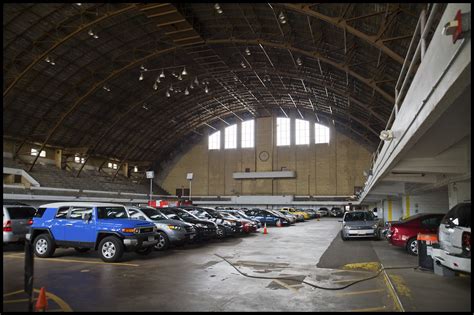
{"x":193,"y":278}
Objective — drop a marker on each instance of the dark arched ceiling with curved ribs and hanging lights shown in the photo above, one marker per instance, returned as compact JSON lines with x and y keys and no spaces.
{"x":335,"y":63}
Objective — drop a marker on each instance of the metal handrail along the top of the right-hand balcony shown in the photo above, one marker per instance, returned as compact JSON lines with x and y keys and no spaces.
{"x":423,"y":30}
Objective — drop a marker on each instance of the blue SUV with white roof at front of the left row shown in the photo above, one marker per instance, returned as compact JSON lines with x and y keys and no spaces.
{"x":104,"y":227}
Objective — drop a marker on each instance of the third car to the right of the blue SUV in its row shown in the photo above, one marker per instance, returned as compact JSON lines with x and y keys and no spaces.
{"x":225,"y":227}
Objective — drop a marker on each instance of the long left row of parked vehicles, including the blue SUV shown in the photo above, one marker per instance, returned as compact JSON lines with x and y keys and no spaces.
{"x":112,"y":229}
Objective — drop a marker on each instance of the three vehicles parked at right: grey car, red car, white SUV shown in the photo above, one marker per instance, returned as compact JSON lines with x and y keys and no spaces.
{"x":453,"y":249}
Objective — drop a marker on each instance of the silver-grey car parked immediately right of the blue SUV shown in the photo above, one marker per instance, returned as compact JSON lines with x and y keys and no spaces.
{"x":170,"y":231}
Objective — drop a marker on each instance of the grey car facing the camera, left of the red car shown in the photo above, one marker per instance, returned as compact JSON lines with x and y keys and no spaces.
{"x":359,"y":223}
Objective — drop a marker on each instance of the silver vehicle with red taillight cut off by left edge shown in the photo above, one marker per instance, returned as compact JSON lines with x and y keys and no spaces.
{"x":17,"y":218}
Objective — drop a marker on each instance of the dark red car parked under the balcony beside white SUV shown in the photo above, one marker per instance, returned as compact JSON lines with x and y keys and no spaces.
{"x":403,"y":233}
